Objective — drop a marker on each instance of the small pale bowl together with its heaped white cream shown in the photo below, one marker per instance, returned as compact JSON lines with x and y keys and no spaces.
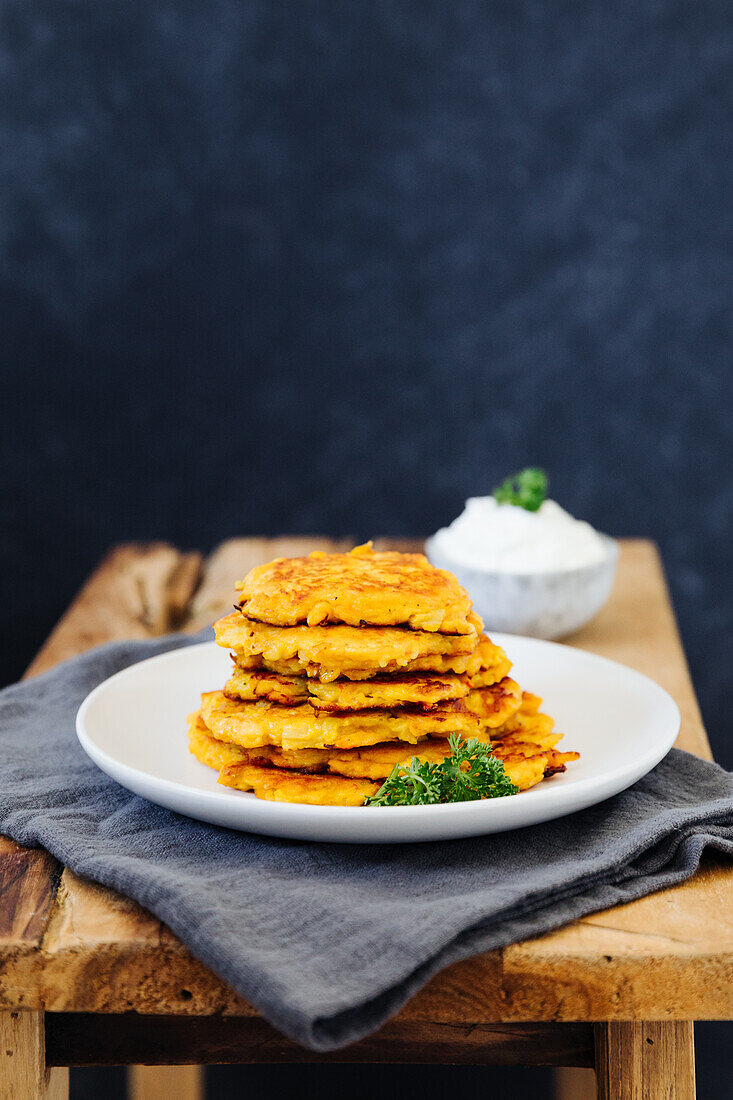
{"x":538,"y":573}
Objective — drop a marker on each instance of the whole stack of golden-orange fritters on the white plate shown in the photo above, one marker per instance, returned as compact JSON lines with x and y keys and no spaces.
{"x":348,"y":665}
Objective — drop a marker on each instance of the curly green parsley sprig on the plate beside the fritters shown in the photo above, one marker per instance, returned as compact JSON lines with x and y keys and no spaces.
{"x":469,"y":774}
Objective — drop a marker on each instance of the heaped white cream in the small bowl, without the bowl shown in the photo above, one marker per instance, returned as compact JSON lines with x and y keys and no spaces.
{"x":506,"y":538}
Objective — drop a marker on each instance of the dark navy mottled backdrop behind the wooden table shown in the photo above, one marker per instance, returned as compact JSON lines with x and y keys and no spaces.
{"x":332,"y":268}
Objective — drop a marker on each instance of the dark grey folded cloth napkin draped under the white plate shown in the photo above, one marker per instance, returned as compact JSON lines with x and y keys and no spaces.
{"x":329,"y":941}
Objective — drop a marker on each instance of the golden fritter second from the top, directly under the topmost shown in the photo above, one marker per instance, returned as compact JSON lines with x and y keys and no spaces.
{"x":334,"y":652}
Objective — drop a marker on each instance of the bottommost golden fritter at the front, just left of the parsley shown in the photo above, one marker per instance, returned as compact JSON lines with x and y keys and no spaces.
{"x":277,"y":786}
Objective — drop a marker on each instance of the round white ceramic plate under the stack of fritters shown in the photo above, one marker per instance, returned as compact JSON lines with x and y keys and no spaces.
{"x":134,"y":727}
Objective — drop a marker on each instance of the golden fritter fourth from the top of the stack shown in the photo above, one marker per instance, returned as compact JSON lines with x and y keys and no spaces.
{"x":253,"y":725}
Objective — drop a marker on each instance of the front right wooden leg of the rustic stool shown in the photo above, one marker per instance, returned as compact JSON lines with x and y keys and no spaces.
{"x":646,"y":1061}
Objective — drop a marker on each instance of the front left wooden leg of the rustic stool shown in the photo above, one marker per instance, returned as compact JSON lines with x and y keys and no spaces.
{"x":24,"y":1074}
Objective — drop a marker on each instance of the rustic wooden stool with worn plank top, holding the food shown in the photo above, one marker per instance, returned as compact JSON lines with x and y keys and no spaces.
{"x":90,"y":978}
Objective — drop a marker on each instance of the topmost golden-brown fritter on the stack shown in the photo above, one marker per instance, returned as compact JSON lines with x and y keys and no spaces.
{"x":360,"y":588}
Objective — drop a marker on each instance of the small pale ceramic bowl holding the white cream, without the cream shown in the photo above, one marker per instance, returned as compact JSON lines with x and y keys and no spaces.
{"x":541,"y":606}
